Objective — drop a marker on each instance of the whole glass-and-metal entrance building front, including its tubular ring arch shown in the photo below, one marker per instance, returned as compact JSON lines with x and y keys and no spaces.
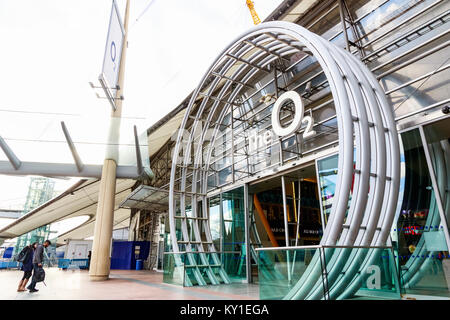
{"x":313,"y":157}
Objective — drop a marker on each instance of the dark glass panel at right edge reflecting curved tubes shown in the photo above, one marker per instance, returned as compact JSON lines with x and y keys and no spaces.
{"x":422,"y":228}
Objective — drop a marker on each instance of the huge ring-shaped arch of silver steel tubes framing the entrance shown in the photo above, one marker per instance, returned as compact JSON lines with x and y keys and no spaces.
{"x":365,"y":123}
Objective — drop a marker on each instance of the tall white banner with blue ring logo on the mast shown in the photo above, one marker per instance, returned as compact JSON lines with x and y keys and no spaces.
{"x":113,"y":52}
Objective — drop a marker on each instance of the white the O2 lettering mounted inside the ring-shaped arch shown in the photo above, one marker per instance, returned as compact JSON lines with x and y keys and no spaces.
{"x":265,"y":138}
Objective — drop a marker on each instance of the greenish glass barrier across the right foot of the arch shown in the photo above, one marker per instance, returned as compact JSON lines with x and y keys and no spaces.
{"x":291,"y":273}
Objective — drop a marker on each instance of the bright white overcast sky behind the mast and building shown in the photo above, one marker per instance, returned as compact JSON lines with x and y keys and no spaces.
{"x":51,"y":49}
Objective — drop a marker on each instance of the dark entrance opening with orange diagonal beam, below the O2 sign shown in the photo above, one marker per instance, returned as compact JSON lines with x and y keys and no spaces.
{"x":296,"y":204}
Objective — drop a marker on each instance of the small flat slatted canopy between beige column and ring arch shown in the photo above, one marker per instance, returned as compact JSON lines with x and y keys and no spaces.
{"x":147,"y":198}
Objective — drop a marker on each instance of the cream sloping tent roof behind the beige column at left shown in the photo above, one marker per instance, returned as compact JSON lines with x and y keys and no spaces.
{"x":79,"y":200}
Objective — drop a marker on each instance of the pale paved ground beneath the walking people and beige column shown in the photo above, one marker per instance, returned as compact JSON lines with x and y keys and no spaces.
{"x":122,"y":285}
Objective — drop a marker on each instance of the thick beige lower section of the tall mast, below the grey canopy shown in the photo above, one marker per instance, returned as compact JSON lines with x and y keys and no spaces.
{"x":101,"y":248}
